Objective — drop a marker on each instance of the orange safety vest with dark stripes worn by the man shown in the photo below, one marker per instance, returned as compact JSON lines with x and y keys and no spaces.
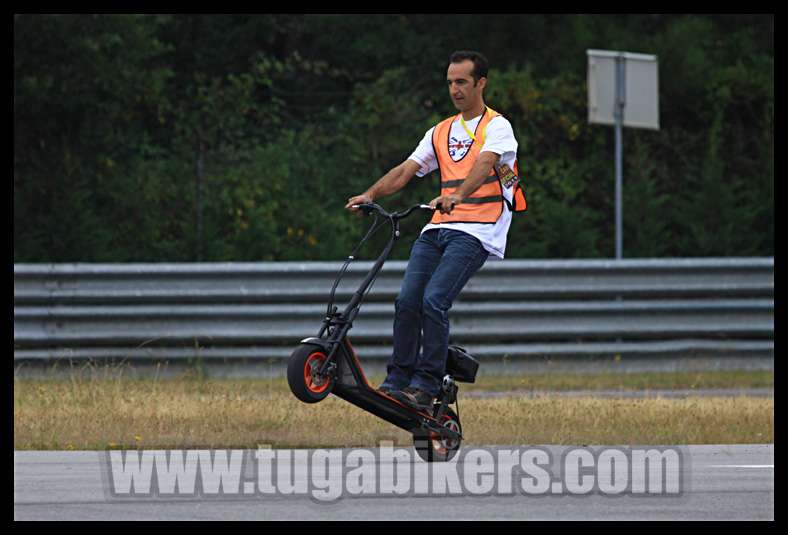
{"x":485,"y":205}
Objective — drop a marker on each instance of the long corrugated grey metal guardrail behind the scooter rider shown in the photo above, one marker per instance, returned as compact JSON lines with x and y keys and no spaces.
{"x":510,"y":308}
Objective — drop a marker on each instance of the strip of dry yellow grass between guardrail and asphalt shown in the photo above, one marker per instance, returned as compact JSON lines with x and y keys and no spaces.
{"x":99,"y":413}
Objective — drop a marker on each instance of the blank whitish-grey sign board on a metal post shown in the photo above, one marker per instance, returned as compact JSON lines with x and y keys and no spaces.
{"x":641,"y":89}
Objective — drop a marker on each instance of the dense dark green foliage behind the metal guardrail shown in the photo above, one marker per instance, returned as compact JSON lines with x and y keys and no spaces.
{"x":239,"y":138}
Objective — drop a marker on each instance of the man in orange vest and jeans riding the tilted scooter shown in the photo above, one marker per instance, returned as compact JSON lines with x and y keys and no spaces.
{"x":476,"y":153}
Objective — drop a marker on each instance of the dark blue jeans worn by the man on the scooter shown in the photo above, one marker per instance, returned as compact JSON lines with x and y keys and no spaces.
{"x":441,"y":263}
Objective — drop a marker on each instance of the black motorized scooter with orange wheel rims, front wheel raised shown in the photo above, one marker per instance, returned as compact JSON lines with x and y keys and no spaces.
{"x":327,"y":363}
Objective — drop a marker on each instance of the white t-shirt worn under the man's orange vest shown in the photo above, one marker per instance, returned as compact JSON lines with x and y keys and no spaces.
{"x":499,"y":139}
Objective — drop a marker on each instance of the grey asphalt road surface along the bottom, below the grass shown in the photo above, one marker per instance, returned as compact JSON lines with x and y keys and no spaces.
{"x":718,"y":482}
